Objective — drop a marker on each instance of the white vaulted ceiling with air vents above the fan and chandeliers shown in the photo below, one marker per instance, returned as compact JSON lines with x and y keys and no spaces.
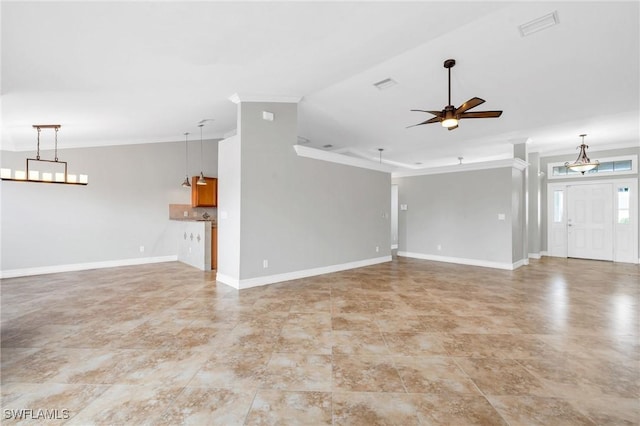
{"x":114,"y":73}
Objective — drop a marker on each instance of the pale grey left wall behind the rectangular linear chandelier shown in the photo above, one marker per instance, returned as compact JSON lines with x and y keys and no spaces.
{"x":49,"y":227}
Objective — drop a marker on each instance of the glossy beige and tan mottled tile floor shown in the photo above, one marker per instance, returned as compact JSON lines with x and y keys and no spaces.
{"x":405,"y":342}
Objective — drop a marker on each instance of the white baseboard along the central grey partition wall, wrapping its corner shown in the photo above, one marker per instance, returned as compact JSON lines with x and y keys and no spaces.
{"x":241,"y":284}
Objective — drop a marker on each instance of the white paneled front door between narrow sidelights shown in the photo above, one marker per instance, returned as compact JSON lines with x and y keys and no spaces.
{"x":590,"y":221}
